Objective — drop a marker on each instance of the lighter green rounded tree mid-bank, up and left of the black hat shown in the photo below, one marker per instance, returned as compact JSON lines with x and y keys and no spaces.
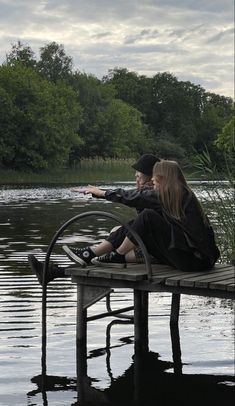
{"x":110,"y":127}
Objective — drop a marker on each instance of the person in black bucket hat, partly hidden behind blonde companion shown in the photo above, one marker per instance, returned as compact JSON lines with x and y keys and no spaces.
{"x":143,"y":177}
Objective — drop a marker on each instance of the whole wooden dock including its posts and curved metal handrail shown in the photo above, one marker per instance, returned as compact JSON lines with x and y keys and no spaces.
{"x":94,"y":283}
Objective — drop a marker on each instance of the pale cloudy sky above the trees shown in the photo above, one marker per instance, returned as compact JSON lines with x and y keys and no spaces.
{"x":192,"y":39}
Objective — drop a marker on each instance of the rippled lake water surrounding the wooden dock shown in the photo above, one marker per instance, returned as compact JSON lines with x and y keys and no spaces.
{"x":28,"y":220}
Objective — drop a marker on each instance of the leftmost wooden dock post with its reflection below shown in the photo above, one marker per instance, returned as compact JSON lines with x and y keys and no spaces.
{"x":81,"y":343}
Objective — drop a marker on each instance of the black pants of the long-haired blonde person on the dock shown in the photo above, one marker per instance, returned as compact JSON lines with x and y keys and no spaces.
{"x":155,"y":232}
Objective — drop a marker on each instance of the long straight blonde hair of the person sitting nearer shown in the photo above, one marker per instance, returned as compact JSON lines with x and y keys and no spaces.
{"x":172,"y":187}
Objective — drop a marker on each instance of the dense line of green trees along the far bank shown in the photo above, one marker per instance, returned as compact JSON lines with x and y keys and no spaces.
{"x":53,"y":115}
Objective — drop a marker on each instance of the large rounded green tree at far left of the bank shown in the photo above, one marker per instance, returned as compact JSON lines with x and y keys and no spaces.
{"x":39,"y":120}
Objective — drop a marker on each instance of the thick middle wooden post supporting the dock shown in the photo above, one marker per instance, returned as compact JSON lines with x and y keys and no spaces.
{"x":141,"y":321}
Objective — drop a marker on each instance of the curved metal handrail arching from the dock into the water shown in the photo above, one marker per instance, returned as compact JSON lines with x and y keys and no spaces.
{"x":47,"y":259}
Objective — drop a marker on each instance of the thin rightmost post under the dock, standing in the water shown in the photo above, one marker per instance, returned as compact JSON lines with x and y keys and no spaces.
{"x":175,"y":337}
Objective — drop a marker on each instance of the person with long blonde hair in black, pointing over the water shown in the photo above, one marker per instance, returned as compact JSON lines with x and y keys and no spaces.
{"x":173,"y":225}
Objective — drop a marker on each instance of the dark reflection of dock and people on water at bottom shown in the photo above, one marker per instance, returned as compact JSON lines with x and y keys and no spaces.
{"x":146,"y":382}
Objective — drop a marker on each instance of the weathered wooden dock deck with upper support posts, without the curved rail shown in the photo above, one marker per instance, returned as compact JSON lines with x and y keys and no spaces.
{"x":96,"y":282}
